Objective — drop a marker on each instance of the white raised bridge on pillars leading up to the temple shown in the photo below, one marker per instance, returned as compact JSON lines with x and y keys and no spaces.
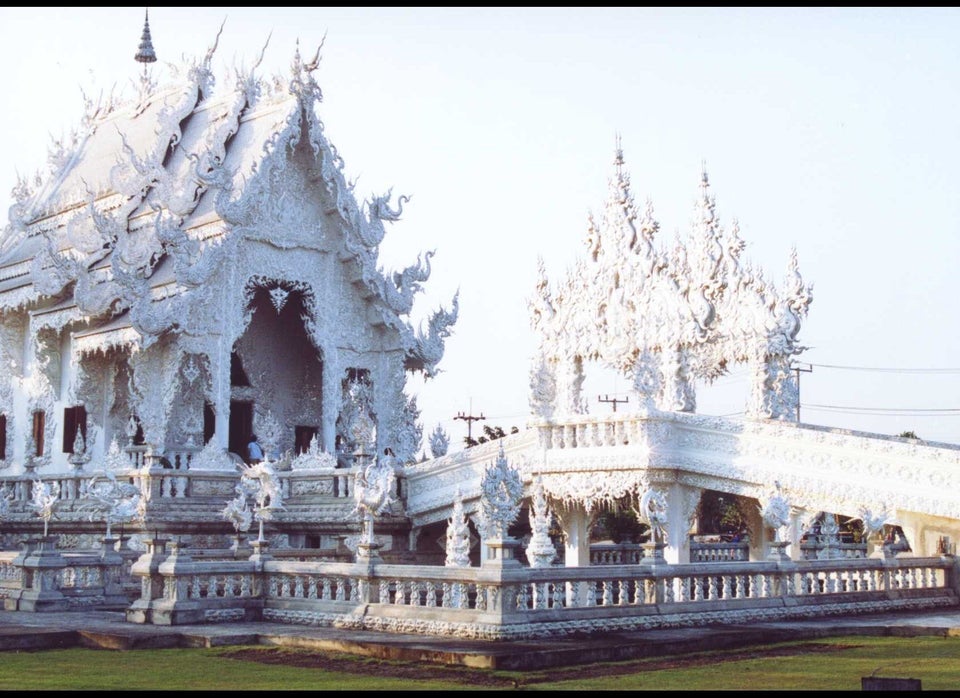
{"x":590,"y":461}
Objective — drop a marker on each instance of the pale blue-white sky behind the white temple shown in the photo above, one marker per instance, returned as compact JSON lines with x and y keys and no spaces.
{"x":831,"y":130}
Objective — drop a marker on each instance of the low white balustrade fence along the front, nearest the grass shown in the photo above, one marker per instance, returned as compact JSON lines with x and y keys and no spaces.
{"x":501,"y":603}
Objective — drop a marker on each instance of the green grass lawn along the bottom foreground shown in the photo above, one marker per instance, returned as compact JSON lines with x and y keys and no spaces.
{"x":826,"y":664}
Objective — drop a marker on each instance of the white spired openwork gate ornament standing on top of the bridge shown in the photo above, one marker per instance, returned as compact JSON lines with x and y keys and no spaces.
{"x":665,"y":318}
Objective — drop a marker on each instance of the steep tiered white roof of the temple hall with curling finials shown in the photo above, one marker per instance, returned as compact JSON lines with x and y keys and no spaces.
{"x":143,"y":186}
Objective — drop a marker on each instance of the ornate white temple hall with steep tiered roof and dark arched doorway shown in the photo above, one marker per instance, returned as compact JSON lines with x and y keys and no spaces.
{"x":195,"y":269}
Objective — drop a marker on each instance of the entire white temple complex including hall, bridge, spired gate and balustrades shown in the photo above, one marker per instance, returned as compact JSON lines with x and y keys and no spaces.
{"x":195,"y":268}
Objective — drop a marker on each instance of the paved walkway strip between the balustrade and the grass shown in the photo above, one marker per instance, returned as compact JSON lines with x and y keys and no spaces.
{"x":109,"y":630}
